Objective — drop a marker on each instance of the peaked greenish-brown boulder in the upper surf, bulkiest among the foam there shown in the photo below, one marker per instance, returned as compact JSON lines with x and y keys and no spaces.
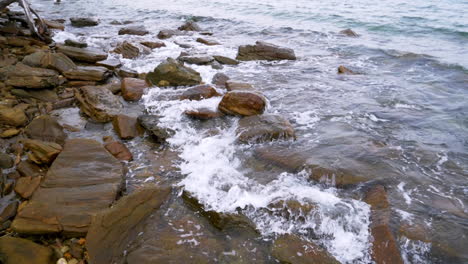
{"x":174,"y":74}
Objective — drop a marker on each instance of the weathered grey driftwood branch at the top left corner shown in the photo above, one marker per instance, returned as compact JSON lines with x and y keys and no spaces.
{"x":40,"y":30}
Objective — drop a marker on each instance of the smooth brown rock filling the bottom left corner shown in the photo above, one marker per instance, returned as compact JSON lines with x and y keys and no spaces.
{"x":15,"y":250}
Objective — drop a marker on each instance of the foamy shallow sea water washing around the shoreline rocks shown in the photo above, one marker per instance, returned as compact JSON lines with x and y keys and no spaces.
{"x":403,"y":121}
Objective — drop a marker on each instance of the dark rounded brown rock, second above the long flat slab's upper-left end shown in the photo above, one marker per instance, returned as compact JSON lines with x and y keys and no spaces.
{"x":46,"y":128}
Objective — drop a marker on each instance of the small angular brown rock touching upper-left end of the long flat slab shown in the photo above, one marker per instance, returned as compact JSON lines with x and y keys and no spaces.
{"x":42,"y":152}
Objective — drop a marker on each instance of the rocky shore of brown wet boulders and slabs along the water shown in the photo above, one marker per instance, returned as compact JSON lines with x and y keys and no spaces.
{"x":66,"y":200}
